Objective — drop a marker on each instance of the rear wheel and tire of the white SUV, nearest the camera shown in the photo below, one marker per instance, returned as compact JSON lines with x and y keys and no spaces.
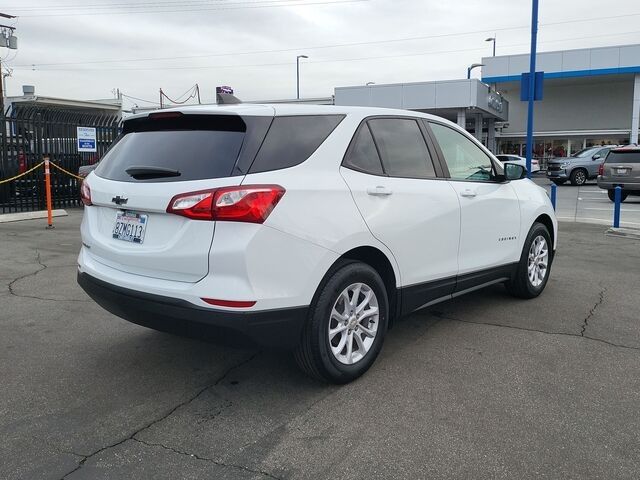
{"x":315,"y":354}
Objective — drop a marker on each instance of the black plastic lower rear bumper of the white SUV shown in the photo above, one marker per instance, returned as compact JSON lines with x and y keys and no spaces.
{"x":279,"y":328}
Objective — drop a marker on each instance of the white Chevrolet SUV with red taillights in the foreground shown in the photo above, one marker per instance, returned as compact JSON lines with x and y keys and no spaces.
{"x":306,"y":227}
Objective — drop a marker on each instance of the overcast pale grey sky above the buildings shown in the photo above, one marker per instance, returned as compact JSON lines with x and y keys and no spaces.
{"x":175,"y":44}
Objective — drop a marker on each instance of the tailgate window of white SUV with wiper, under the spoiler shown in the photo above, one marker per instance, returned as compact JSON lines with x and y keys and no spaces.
{"x":196,"y":147}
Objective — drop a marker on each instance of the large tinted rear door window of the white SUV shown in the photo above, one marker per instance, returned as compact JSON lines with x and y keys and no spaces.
{"x":402,"y":148}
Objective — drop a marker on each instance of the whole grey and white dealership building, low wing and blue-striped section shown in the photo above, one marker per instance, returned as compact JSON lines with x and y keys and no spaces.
{"x":590,"y":97}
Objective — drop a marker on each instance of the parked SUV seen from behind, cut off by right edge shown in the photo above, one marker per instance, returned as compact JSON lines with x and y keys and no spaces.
{"x":621,"y":168}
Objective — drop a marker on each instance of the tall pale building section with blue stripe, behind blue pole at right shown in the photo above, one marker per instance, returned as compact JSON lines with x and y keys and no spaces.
{"x":591,"y":97}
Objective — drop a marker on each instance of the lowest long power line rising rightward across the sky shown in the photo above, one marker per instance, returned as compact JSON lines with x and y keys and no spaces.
{"x":352,"y":59}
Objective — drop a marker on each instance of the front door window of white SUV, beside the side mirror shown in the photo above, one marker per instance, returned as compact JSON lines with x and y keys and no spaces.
{"x":464,"y":159}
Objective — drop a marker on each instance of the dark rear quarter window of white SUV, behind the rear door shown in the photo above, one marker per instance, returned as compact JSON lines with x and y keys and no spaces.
{"x":291,"y":140}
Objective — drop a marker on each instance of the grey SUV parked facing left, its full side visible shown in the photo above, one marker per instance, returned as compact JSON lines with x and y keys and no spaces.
{"x":579,"y":167}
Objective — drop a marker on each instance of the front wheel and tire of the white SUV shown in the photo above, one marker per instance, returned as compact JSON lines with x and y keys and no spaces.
{"x":521,"y":285}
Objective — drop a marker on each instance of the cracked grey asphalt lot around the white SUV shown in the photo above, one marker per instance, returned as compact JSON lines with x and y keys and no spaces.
{"x":485,"y":386}
